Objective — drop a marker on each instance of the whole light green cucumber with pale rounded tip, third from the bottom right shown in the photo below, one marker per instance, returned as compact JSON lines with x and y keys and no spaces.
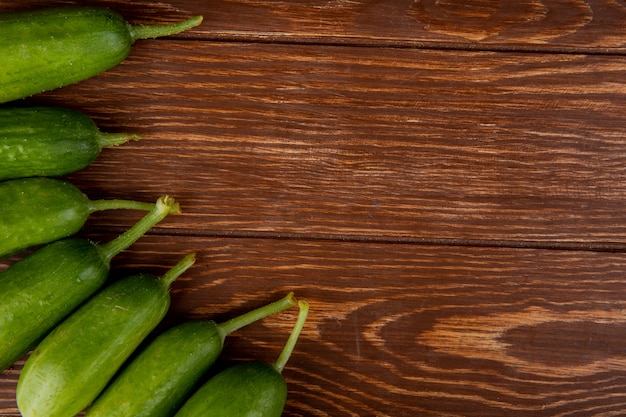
{"x":72,"y":365}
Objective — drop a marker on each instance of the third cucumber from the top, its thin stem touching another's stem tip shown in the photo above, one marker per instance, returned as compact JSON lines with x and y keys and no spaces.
{"x":35,"y":211}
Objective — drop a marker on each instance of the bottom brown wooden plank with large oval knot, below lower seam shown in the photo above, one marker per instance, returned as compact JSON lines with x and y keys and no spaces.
{"x":405,"y":330}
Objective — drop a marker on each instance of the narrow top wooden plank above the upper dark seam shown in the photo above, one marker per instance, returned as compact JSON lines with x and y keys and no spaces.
{"x":548,"y":25}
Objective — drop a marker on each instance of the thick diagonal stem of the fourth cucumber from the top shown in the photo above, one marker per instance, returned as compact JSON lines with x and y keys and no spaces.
{"x":164,"y":206}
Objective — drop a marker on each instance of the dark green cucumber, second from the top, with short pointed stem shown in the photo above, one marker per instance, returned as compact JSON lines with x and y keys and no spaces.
{"x":50,"y":141}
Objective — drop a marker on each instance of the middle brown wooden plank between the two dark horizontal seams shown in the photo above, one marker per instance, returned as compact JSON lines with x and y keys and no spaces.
{"x":339,"y":142}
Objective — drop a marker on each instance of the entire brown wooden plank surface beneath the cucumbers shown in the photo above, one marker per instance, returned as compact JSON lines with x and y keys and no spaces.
{"x":444,"y":181}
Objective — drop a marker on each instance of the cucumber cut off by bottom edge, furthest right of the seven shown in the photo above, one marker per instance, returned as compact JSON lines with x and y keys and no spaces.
{"x":252,"y":388}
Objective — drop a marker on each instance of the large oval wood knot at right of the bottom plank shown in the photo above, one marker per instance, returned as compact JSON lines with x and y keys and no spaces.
{"x":536,"y":340}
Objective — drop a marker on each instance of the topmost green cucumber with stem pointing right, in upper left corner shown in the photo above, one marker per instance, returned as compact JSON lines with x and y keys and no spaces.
{"x":49,"y":48}
